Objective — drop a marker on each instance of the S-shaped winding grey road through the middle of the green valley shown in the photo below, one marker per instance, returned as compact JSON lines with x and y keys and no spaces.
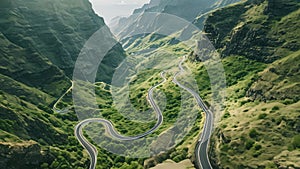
{"x":91,"y":149}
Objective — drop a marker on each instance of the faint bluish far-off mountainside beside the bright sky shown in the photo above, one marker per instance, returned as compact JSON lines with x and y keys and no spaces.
{"x":144,"y":17}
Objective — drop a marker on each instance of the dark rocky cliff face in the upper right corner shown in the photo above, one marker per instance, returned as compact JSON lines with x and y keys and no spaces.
{"x":257,"y":24}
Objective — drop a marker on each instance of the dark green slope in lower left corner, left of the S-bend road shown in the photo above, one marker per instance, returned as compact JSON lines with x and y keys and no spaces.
{"x":23,"y":121}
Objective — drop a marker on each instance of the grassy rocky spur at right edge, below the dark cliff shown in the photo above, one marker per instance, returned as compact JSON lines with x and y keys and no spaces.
{"x":279,"y":81}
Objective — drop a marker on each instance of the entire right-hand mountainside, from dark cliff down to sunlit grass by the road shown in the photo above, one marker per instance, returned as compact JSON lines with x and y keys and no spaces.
{"x":260,"y":125}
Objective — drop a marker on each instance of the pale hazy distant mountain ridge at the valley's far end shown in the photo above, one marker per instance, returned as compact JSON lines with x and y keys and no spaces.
{"x":184,"y":9}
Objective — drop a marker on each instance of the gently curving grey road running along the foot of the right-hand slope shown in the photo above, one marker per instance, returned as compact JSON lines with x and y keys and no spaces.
{"x":201,"y":151}
